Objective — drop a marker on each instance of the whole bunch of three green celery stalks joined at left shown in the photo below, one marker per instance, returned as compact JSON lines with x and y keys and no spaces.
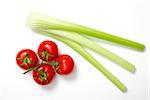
{"x":72,"y":37}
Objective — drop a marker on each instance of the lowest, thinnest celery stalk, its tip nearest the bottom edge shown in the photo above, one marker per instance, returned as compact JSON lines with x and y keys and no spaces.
{"x":78,"y":48}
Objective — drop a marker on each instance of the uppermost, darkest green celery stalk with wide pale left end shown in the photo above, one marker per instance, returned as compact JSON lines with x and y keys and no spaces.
{"x":39,"y":21}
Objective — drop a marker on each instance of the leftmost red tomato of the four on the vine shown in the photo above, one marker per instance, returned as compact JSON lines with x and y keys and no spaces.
{"x":26,"y":59}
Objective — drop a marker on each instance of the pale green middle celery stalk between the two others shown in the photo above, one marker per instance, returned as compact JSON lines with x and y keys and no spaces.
{"x":95,"y":47}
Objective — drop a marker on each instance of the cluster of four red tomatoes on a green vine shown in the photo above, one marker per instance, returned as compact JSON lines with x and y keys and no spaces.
{"x":49,"y":62}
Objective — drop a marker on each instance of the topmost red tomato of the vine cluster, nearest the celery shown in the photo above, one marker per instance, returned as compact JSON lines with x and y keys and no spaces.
{"x":48,"y":50}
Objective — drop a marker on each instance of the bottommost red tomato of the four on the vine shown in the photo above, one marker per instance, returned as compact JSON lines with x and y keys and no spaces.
{"x":44,"y":74}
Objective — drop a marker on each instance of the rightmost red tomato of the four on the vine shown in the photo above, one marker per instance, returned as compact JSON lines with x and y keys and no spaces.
{"x":65,"y":64}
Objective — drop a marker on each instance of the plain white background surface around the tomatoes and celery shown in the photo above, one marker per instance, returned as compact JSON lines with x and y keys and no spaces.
{"x":126,"y":18}
